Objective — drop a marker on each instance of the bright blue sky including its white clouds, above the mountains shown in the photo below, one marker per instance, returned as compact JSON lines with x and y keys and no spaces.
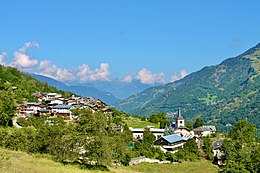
{"x":148,"y":40}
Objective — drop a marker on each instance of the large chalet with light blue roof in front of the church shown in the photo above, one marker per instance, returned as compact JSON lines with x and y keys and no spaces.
{"x":170,"y":143}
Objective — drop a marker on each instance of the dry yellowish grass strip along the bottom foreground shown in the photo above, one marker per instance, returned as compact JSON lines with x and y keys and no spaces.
{"x":20,"y":162}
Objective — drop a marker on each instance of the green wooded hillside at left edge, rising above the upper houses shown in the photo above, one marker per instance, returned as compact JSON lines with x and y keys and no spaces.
{"x":15,"y":88}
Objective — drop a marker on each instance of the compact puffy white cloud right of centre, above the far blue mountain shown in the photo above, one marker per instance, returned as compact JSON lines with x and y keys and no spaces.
{"x":147,"y":77}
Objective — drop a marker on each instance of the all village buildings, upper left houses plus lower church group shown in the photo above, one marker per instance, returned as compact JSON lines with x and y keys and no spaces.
{"x":170,"y":139}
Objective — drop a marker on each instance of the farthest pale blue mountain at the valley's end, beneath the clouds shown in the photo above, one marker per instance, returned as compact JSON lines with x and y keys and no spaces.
{"x":118,"y":88}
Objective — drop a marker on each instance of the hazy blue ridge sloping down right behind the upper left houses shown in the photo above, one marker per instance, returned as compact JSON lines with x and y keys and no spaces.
{"x":107,"y":97}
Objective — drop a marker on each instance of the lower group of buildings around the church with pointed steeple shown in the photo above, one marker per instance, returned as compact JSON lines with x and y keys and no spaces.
{"x":174,"y":136}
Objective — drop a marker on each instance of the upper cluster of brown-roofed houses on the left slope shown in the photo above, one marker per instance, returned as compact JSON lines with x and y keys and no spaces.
{"x":55,"y":105}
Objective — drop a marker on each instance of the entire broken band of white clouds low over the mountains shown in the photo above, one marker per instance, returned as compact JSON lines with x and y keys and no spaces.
{"x":82,"y":73}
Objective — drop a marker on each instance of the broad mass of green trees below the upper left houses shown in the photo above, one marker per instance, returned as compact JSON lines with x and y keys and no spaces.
{"x":91,"y":138}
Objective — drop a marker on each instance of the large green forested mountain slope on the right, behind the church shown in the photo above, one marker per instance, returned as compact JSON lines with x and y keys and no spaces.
{"x":220,"y":94}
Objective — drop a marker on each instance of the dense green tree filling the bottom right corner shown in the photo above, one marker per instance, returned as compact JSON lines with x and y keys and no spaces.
{"x":241,"y":149}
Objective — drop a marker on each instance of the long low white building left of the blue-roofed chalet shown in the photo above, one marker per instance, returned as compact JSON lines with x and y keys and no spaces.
{"x":138,"y":132}
